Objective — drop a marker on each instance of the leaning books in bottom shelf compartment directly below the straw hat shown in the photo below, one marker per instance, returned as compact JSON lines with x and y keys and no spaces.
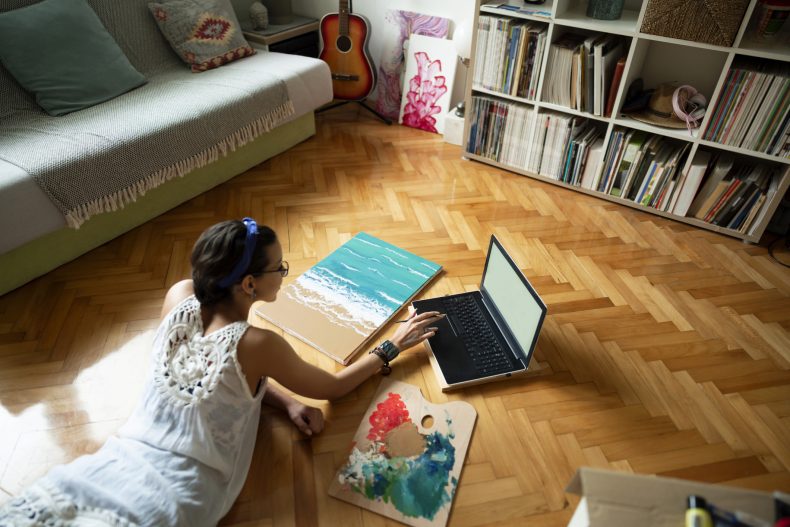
{"x":643,"y":168}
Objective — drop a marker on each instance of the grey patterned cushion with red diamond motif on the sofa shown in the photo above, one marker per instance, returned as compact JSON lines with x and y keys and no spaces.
{"x":204,"y":33}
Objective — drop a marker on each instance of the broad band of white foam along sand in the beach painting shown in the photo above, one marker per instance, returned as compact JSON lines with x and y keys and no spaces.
{"x":339,"y":303}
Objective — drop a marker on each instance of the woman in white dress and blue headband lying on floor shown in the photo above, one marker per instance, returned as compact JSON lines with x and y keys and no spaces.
{"x":184,"y":454}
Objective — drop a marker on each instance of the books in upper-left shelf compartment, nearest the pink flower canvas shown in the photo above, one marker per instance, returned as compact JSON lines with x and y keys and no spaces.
{"x":508,"y":55}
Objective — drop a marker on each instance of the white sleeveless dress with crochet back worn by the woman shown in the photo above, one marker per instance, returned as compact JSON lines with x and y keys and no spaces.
{"x":183,"y":455}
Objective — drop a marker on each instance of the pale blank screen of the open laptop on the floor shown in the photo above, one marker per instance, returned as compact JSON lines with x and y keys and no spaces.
{"x":512,"y":296}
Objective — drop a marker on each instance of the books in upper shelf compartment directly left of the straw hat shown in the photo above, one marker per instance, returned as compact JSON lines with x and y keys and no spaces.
{"x":583,"y":72}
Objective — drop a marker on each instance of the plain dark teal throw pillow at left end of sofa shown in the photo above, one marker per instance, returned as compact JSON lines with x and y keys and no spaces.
{"x":59,"y":51}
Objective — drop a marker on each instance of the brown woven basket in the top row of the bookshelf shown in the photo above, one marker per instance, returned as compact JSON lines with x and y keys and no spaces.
{"x":709,"y":21}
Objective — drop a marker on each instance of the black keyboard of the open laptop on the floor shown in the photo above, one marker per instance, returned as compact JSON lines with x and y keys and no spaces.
{"x":482,"y":345}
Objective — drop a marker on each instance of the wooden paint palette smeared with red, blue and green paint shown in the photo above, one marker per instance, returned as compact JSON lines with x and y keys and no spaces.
{"x":407,"y":456}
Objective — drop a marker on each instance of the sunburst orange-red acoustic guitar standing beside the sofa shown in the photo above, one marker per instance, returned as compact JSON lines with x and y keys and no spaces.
{"x":344,"y":47}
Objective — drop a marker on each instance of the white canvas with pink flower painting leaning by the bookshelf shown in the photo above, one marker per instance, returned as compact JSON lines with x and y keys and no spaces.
{"x":427,"y":84}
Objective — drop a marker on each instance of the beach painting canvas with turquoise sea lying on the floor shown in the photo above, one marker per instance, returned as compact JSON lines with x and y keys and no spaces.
{"x":343,"y":300}
